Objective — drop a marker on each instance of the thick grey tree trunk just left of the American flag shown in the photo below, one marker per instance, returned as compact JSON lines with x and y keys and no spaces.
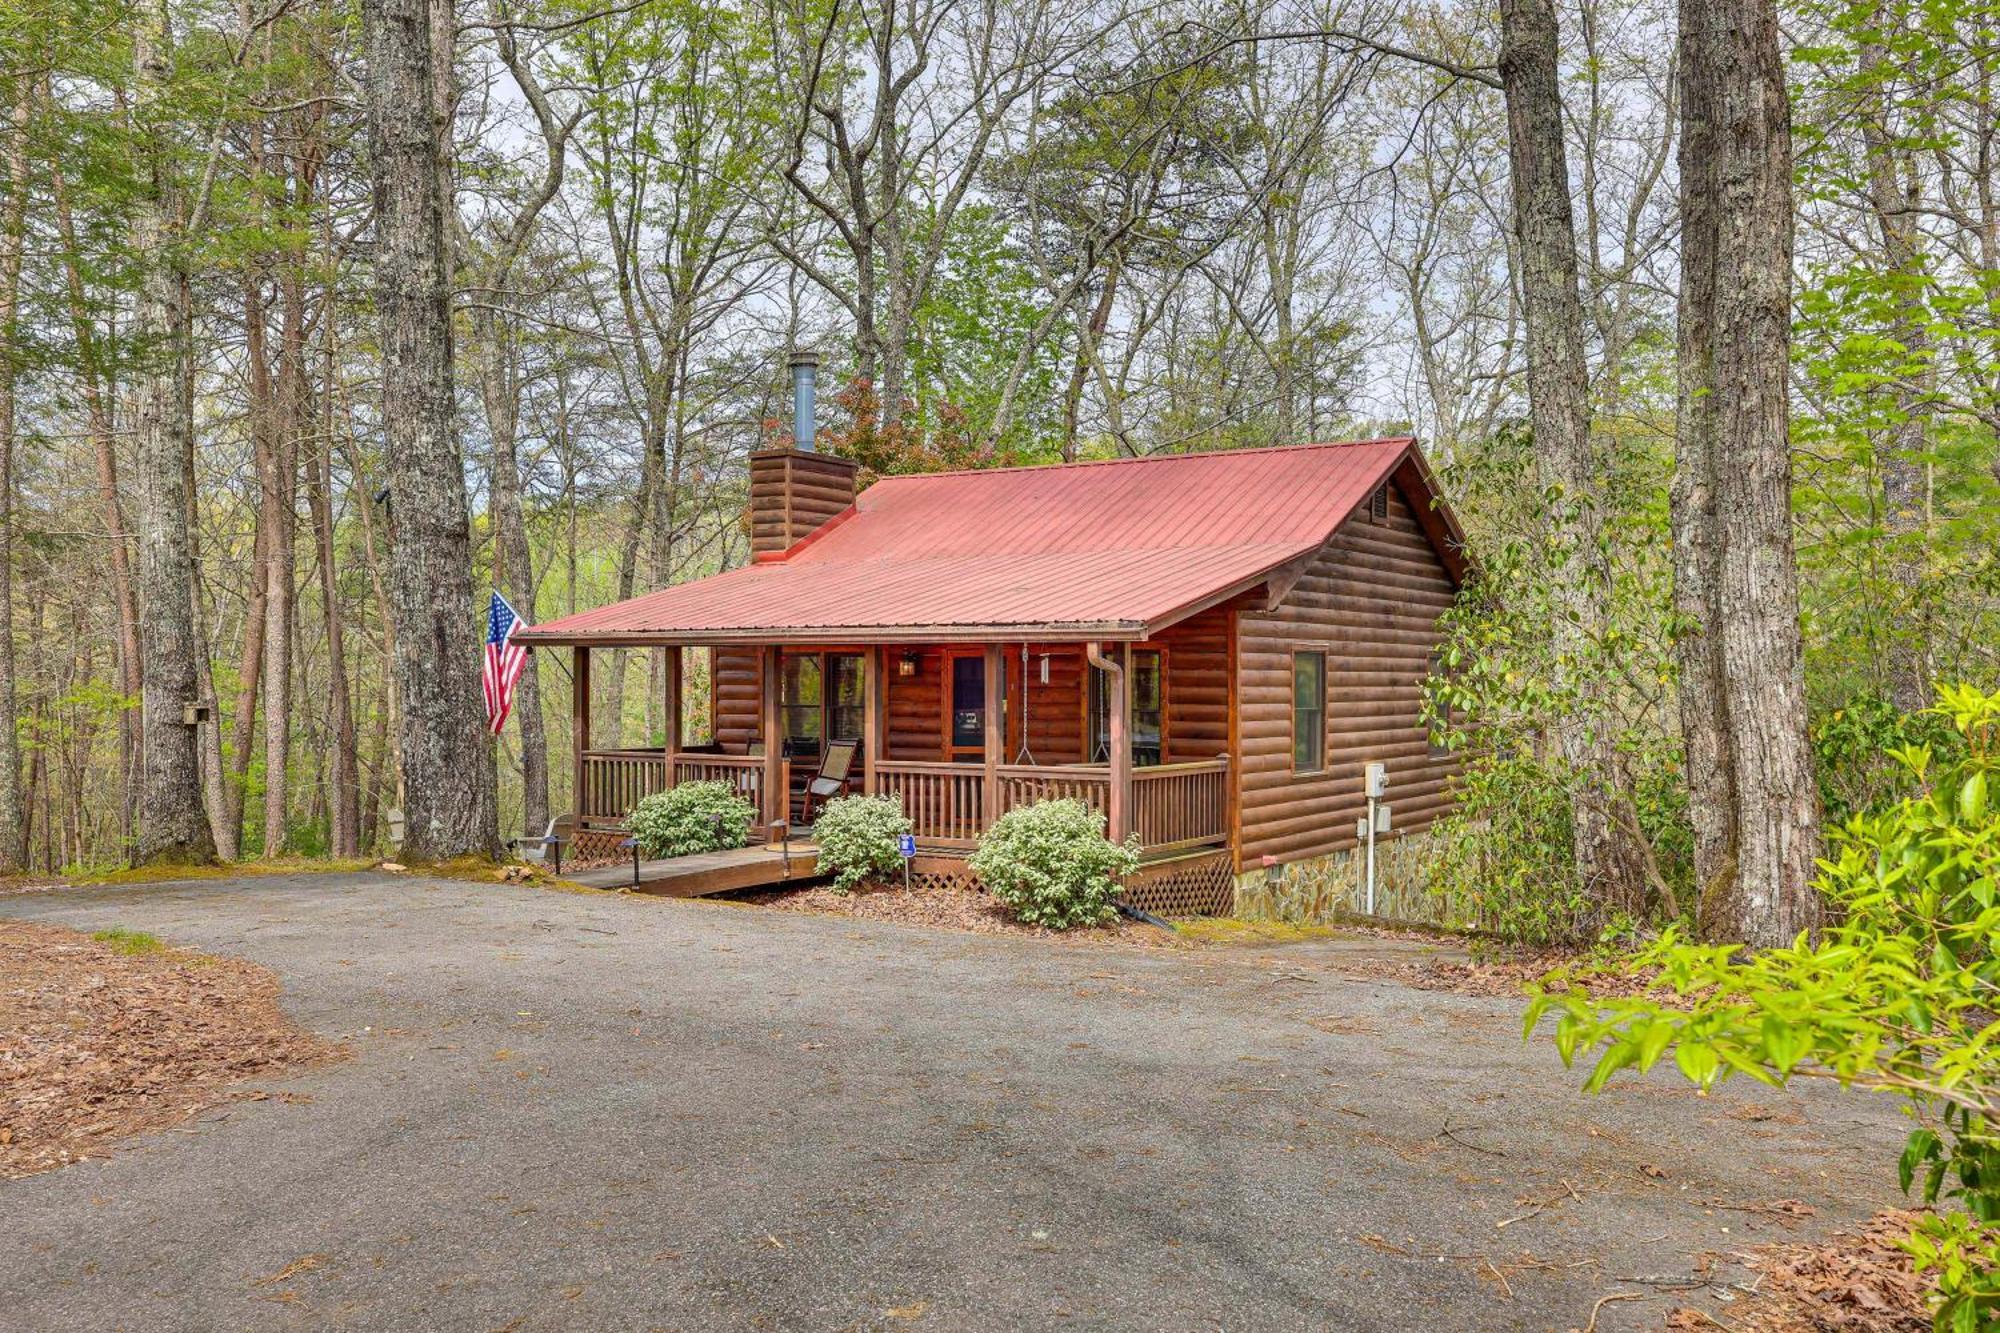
{"x":449,"y":766}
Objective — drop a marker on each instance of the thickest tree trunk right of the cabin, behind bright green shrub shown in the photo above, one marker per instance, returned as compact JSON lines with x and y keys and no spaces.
{"x":1739,"y":291}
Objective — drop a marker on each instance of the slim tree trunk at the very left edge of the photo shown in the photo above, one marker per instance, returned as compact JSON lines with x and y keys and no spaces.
{"x":13,"y":233}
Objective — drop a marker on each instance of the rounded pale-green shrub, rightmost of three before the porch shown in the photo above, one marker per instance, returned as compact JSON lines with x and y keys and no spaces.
{"x":1053,"y":866}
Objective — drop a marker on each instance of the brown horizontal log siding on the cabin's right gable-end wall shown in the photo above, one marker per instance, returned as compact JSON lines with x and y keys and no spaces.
{"x":1371,"y":603}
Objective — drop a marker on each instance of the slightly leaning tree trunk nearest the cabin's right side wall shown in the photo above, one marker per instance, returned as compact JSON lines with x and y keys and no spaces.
{"x":1607,"y":856}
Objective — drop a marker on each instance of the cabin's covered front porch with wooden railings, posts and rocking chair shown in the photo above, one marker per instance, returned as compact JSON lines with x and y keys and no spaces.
{"x":957,"y":732}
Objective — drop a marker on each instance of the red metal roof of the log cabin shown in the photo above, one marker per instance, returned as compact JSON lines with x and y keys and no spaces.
{"x":1089,"y":549}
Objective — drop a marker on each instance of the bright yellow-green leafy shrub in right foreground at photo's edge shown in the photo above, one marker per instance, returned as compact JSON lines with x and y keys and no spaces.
{"x":1895,"y":998}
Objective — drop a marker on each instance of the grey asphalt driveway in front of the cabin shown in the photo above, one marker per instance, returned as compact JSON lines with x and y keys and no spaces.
{"x":609,"y":1112}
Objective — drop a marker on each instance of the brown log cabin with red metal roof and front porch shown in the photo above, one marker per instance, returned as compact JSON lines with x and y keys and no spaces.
{"x":1205,"y":647}
